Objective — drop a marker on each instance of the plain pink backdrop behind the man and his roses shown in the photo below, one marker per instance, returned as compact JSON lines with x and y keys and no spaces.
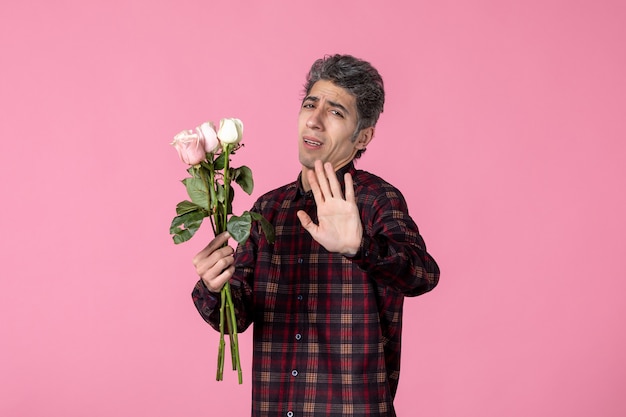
{"x":504,"y":127}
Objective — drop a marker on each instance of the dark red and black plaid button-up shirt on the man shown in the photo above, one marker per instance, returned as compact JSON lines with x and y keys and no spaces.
{"x":327,"y":327}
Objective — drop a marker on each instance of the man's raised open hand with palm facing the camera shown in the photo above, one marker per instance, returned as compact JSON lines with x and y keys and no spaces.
{"x":340,"y":229}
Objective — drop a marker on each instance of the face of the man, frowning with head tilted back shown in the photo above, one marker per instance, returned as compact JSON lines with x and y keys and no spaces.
{"x":326,"y":125}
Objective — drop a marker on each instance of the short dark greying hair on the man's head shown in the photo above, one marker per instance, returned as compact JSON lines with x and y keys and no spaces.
{"x":359,"y":78}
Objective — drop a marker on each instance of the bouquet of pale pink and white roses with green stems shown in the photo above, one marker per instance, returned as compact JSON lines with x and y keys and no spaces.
{"x":208,"y":152}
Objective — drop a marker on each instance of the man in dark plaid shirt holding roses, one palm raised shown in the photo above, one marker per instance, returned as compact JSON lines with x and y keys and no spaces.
{"x":326,"y":298}
